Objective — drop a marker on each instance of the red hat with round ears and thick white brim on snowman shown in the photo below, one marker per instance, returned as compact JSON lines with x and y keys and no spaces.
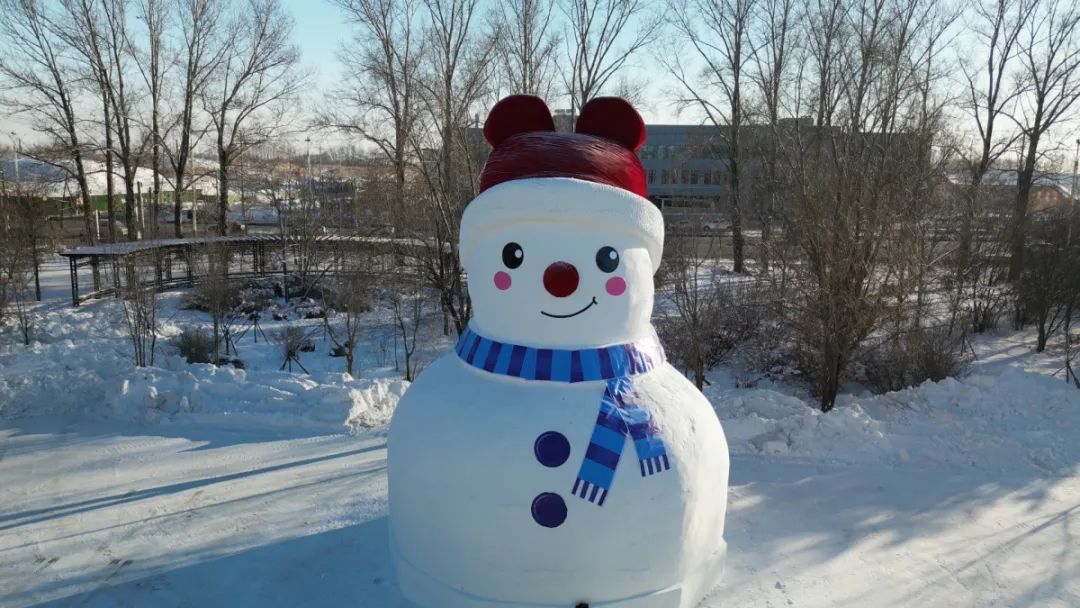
{"x":536,"y":175}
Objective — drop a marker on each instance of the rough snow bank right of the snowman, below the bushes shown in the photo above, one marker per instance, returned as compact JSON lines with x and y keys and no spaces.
{"x":1011,"y":421}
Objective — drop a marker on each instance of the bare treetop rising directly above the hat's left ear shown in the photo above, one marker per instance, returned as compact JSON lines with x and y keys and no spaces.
{"x":528,"y":47}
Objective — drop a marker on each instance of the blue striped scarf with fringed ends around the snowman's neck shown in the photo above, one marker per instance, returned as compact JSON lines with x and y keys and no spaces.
{"x":619,"y":417}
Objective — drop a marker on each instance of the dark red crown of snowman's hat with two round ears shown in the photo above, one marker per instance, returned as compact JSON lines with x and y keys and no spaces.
{"x":603,"y":150}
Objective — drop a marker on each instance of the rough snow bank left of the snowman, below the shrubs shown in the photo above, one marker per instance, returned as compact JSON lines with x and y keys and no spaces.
{"x":80,"y":364}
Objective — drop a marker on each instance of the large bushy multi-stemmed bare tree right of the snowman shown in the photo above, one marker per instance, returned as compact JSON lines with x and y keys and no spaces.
{"x":852,"y":178}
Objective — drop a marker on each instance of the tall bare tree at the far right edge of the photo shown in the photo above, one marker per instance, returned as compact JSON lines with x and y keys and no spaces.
{"x":1050,"y":56}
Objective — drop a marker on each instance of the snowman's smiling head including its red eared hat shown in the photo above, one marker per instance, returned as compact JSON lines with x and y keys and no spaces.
{"x":561,"y":246}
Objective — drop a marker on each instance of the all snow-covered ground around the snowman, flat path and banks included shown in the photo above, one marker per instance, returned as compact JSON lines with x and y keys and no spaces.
{"x":188,"y":485}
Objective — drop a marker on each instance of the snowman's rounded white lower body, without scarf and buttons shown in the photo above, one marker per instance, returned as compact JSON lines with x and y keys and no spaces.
{"x":466,"y":474}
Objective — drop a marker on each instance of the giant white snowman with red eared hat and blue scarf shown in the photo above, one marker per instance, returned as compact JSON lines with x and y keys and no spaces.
{"x":556,"y":458}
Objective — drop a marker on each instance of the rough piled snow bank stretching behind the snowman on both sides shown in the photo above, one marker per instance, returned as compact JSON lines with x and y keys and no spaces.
{"x":1001,"y":418}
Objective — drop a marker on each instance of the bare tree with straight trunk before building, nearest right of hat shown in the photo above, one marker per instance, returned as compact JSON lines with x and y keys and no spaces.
{"x":719,"y":33}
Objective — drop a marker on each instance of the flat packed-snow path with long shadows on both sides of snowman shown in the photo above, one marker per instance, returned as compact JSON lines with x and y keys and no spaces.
{"x":173,"y":516}
